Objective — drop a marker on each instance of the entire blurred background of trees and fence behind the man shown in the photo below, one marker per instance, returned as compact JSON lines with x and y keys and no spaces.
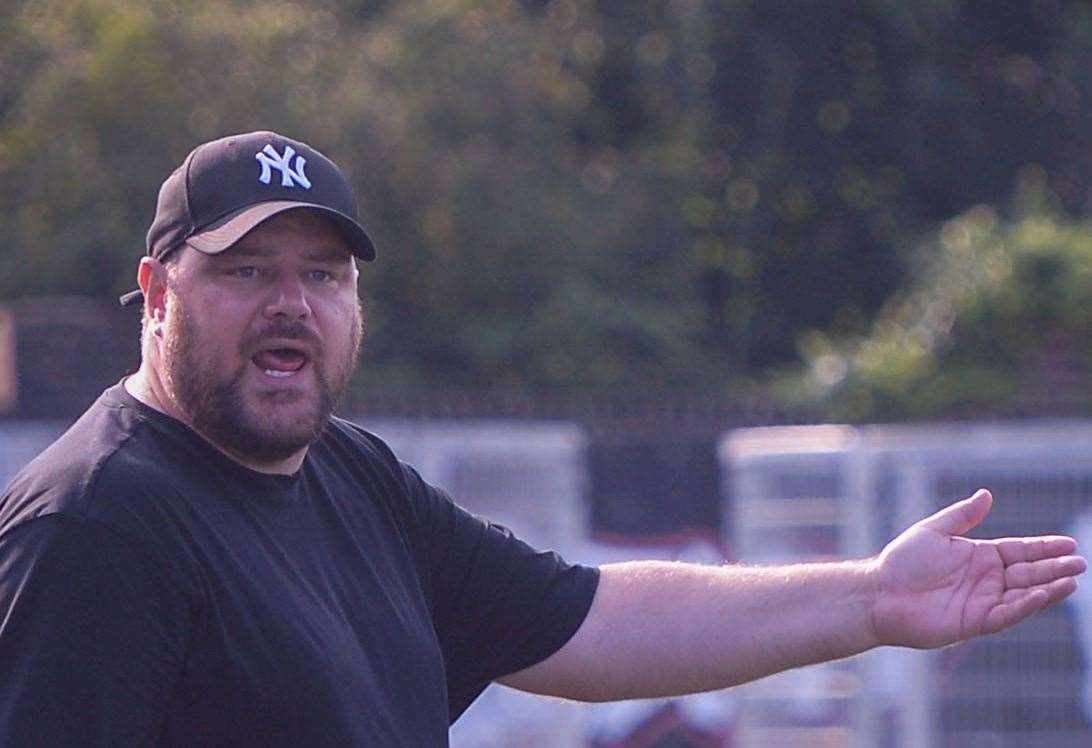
{"x":612,"y":235}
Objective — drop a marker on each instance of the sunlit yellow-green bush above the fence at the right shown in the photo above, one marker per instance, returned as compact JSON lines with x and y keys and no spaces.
{"x":999,"y":317}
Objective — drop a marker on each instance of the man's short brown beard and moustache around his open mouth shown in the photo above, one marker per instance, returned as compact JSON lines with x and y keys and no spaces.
{"x":217,"y":407}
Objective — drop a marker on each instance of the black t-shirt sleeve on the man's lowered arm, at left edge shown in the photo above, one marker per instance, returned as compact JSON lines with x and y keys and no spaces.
{"x":93,"y":635}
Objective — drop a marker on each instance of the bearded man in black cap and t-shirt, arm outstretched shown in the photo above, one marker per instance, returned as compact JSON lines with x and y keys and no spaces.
{"x":209,"y":557}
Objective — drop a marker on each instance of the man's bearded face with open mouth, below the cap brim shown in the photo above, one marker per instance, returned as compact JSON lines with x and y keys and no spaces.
{"x":262,"y":340}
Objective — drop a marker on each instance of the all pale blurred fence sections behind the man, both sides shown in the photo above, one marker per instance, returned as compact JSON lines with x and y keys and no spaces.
{"x":790,"y":494}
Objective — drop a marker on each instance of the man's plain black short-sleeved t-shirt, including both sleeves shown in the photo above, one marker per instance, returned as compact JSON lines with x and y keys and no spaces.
{"x":156,"y":592}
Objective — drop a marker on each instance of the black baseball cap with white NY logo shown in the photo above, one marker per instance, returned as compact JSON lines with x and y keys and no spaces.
{"x":228,"y":187}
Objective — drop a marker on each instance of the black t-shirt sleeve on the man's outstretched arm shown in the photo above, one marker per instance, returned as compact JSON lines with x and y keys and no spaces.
{"x":498,"y":605}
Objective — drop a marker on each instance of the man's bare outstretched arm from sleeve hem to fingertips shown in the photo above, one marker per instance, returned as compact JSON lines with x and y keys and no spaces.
{"x":667,"y":630}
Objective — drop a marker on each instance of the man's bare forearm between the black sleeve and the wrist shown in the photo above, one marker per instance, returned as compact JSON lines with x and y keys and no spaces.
{"x":664,"y":630}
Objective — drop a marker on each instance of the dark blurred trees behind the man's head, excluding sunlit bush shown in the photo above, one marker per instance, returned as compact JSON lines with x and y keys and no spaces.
{"x":566,"y":195}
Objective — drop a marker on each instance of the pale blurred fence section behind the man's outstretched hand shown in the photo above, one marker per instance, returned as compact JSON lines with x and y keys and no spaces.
{"x":813,"y":493}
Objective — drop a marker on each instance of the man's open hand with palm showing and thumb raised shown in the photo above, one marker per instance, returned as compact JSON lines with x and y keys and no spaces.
{"x":937,"y":588}
